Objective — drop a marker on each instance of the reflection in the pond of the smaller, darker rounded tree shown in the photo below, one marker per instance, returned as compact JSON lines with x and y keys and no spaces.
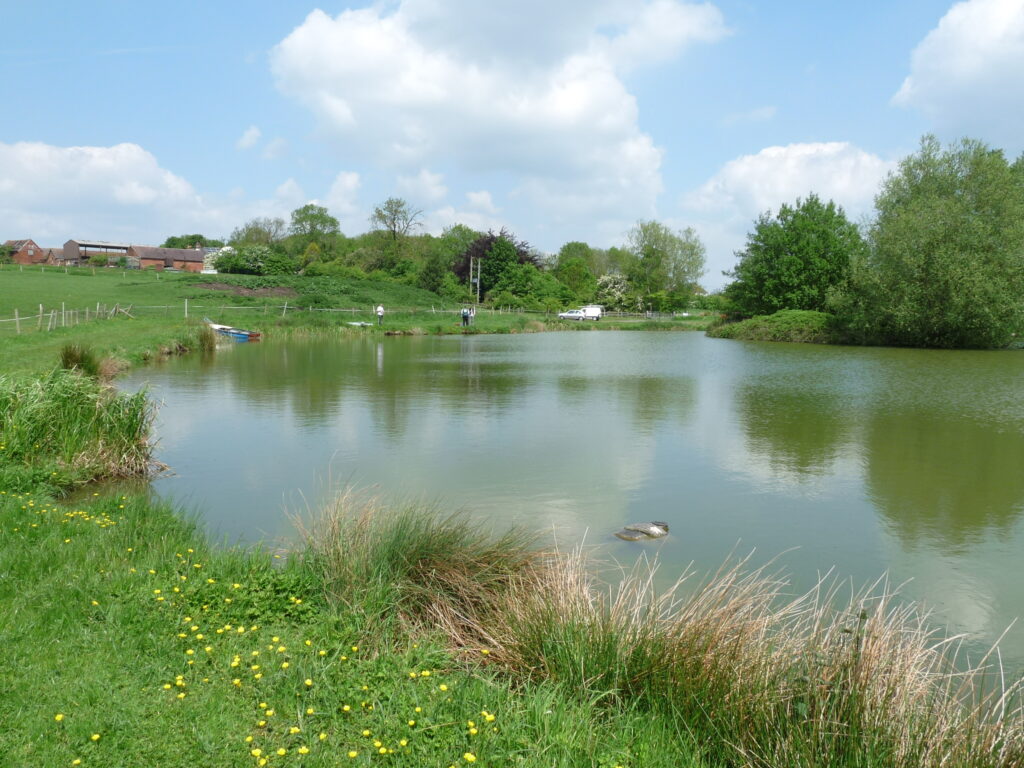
{"x":795,"y":431}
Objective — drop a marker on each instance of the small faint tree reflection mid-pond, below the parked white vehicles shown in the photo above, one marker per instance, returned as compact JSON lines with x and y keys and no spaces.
{"x":653,"y":400}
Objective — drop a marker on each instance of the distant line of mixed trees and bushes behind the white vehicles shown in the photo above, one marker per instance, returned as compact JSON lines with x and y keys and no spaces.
{"x":658,"y":269}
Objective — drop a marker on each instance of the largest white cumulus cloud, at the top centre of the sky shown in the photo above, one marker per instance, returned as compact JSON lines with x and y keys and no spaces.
{"x":423,"y":83}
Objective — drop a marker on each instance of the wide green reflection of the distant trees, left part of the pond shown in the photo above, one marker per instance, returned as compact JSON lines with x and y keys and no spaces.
{"x":315,"y":378}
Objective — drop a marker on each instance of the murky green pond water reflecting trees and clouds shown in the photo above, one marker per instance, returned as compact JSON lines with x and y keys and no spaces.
{"x":870,"y":462}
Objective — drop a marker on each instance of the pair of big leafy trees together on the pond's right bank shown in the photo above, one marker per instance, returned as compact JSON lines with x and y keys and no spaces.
{"x":940,"y":265}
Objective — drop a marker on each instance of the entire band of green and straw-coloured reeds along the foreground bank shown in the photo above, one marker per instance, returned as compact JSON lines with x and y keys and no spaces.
{"x":756,"y":676}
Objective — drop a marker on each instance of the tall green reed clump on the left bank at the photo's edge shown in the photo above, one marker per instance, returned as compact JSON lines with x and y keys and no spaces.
{"x":74,"y":426}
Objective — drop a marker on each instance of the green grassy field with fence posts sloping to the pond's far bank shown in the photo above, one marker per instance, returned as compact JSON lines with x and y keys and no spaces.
{"x":159,"y":303}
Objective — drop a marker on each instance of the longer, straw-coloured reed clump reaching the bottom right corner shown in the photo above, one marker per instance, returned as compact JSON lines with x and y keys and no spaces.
{"x":764,"y":679}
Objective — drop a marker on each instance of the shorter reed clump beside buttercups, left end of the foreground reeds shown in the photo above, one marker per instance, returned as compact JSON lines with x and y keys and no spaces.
{"x":412,"y":565}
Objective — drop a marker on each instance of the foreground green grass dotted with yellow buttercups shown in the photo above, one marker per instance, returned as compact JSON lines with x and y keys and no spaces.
{"x":118,"y":617}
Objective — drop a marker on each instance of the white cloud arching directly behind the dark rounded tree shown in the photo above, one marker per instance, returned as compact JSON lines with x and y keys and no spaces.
{"x":724,"y":208}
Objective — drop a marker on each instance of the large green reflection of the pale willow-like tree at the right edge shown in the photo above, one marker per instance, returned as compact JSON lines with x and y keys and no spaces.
{"x":945,"y":481}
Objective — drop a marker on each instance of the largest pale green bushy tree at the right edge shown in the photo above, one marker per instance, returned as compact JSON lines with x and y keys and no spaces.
{"x":946,"y":267}
